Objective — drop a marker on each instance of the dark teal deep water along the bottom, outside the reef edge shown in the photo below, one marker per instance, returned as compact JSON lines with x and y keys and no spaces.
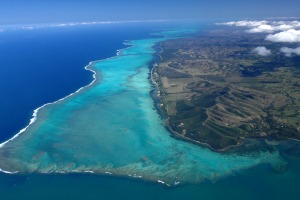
{"x":258,"y":183}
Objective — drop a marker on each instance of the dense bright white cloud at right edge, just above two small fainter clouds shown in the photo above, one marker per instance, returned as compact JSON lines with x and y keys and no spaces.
{"x":290,"y":36}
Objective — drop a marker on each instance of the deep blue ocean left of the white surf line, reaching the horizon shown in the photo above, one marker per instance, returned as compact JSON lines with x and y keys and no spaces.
{"x":43,"y":65}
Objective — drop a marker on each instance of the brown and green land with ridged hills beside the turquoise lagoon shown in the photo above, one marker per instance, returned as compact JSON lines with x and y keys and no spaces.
{"x":215,"y":91}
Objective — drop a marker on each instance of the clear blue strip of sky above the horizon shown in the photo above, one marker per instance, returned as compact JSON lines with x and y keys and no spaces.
{"x":55,"y":11}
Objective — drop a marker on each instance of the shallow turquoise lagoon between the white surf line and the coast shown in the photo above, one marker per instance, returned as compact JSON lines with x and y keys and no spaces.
{"x":112,"y":127}
